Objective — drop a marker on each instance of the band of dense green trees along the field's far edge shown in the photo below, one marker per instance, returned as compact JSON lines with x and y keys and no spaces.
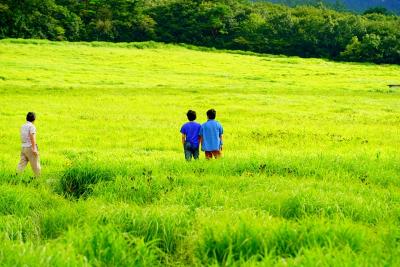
{"x":305,"y":31}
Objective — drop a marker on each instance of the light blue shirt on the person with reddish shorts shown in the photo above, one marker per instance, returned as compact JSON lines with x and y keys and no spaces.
{"x":211,"y":132}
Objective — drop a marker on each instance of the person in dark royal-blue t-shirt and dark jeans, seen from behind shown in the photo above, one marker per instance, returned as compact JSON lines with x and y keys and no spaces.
{"x":190,"y":136}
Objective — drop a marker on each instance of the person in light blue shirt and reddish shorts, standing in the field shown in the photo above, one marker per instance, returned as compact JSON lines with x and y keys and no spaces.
{"x":211,"y":136}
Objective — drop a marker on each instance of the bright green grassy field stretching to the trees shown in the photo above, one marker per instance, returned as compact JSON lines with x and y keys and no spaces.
{"x":310,"y":174}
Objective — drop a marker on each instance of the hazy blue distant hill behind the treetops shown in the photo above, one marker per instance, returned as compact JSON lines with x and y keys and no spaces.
{"x":354,"y":5}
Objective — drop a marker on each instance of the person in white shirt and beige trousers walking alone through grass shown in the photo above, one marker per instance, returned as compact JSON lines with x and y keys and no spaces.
{"x":29,"y":151}
